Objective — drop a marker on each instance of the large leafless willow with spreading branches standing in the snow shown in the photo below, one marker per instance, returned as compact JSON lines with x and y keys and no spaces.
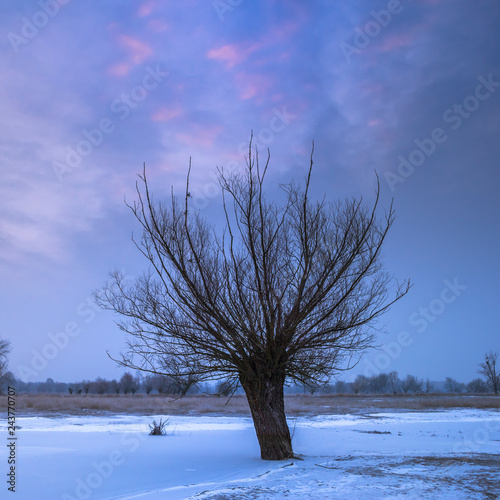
{"x":284,"y":291}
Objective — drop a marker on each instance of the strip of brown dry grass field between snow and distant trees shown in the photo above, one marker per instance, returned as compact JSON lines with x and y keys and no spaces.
{"x":56,"y":404}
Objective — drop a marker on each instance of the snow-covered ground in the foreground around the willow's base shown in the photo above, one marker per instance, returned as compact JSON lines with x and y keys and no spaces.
{"x":407,"y":455}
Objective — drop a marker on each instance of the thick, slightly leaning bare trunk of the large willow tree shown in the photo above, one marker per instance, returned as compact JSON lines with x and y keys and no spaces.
{"x":266,"y":401}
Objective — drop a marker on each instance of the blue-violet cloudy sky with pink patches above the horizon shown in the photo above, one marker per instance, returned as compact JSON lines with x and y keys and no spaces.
{"x":89,"y":92}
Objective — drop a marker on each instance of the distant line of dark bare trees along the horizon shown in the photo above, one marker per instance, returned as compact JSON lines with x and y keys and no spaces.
{"x":383,"y":383}
